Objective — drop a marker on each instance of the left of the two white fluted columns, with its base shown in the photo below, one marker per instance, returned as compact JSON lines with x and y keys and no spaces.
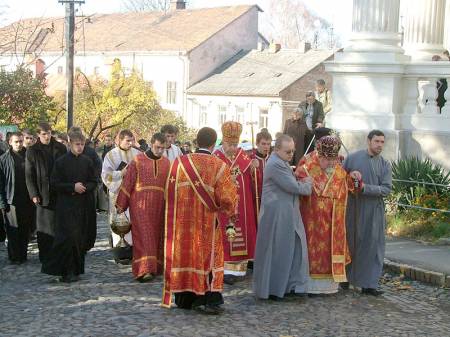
{"x":375,"y":26}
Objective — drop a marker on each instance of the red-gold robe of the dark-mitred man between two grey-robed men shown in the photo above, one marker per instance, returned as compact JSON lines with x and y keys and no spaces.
{"x":323,"y":214}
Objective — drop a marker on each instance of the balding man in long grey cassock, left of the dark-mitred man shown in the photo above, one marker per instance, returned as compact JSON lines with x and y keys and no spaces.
{"x":281,"y":257}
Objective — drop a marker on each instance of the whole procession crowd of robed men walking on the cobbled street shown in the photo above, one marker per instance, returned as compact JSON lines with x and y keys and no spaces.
{"x":306,"y":224}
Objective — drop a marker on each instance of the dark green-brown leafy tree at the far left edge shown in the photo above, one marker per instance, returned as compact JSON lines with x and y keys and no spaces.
{"x":22,"y":99}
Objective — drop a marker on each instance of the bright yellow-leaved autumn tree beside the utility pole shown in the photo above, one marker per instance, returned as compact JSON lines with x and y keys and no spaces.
{"x":123,"y":101}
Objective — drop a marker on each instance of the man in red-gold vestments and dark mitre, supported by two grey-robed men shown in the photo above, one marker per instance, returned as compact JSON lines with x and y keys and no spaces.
{"x":323,"y":214}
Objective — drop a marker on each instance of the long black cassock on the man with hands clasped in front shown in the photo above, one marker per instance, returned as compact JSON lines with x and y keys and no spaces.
{"x":72,"y":214}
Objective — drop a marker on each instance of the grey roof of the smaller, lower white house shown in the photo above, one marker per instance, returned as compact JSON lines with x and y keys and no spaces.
{"x":260,"y":73}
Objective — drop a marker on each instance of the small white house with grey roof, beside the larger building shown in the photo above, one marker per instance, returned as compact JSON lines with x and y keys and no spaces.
{"x":259,"y":88}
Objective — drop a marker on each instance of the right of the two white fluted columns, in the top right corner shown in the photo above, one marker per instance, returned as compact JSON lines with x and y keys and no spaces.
{"x":424,"y":28}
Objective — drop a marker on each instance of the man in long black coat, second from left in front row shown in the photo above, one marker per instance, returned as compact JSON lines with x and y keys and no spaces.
{"x":39,"y":162}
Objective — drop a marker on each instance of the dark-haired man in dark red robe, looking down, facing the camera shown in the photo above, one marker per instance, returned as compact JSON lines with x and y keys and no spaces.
{"x":142,"y":192}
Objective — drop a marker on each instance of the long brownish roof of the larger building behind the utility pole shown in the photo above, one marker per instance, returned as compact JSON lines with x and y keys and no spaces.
{"x":180,"y":30}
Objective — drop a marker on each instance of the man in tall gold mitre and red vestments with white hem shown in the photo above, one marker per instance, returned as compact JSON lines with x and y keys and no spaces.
{"x":242,"y":249}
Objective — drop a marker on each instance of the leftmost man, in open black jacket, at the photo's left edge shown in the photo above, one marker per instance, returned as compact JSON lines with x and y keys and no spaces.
{"x":17,"y":208}
